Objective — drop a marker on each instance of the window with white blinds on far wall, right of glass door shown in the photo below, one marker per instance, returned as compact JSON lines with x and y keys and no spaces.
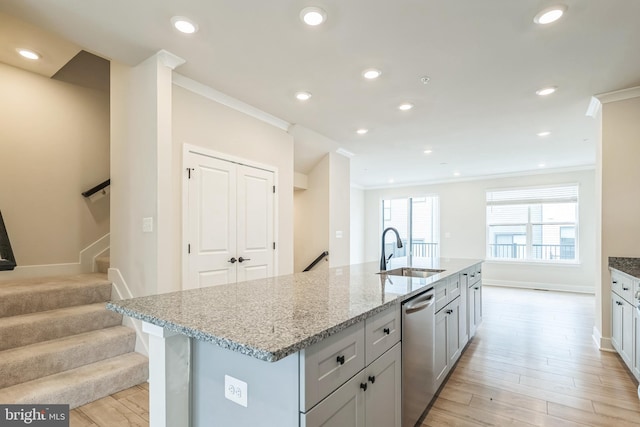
{"x":538,"y":224}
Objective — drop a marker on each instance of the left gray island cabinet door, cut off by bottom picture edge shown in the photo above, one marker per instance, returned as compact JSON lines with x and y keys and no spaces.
{"x":345,"y":407}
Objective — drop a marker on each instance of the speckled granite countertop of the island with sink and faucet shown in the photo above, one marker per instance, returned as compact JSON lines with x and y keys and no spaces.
{"x":272,"y":318}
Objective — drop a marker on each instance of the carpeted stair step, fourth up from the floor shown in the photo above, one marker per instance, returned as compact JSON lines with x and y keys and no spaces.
{"x":40,"y":294}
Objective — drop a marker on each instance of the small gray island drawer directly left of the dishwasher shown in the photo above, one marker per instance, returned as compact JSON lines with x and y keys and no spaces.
{"x":381,"y":332}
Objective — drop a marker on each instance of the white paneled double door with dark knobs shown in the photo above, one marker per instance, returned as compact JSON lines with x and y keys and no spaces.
{"x":230,"y":222}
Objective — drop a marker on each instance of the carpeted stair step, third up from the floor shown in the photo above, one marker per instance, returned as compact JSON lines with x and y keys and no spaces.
{"x":17,"y":331}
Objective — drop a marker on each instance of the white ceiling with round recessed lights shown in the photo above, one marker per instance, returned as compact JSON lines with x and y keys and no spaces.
{"x":479,"y":114}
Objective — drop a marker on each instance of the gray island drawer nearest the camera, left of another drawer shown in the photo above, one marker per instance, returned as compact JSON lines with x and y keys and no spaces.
{"x":327,"y":365}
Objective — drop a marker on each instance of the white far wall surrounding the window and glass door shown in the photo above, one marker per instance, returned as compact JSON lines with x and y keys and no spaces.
{"x":462,"y":216}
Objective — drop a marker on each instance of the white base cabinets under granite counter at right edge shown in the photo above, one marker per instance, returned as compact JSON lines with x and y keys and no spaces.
{"x":624,"y":320}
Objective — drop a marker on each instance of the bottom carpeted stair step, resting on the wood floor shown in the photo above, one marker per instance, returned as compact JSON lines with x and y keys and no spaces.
{"x":82,"y":385}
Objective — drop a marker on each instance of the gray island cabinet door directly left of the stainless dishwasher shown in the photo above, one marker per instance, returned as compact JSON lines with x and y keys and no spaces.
{"x":383,"y":401}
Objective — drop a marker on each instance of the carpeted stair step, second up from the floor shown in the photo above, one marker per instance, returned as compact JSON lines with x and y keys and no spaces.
{"x":33,"y":361}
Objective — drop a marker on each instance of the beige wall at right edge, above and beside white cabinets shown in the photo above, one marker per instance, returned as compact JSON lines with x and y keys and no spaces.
{"x":618,"y":163}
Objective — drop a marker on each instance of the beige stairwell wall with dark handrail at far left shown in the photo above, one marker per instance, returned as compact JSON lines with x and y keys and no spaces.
{"x":54,"y":144}
